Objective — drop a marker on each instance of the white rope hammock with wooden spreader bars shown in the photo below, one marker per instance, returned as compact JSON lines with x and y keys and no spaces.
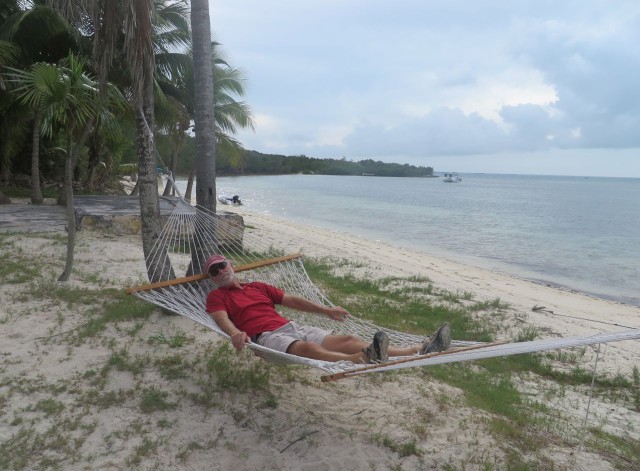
{"x":191,"y":234}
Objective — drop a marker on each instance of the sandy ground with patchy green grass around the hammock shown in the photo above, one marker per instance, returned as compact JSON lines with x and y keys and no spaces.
{"x":90,"y":377}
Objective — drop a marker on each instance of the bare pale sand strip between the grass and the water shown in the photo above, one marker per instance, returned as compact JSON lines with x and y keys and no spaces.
{"x":565,"y":313}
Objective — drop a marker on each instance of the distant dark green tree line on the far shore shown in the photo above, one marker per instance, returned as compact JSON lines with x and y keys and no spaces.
{"x":256,"y":163}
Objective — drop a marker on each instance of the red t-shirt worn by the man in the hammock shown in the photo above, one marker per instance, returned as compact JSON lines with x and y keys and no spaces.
{"x":250,"y":308}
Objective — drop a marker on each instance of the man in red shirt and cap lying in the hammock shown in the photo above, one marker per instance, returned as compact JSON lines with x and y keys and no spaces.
{"x":246,"y":312}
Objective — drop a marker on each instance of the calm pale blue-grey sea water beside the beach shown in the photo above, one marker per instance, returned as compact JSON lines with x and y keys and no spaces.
{"x":581,"y":233}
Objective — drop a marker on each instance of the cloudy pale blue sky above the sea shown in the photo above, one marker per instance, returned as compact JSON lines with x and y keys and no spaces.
{"x":542,"y":87}
